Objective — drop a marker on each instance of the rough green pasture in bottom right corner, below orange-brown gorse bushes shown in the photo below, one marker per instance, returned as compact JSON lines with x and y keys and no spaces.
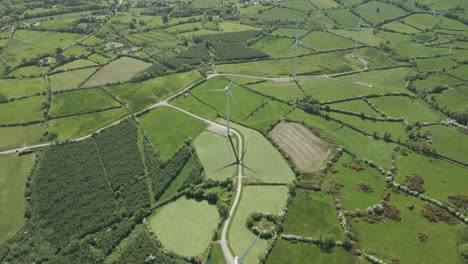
{"x":440,"y":247}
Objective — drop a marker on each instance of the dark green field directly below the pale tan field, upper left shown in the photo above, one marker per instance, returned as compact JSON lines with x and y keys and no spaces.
{"x":80,"y":101}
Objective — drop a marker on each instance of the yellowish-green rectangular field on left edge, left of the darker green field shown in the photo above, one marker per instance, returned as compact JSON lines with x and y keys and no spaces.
{"x":19,"y":87}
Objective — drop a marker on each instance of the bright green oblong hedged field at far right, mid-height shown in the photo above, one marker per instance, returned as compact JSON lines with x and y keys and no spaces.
{"x":412,"y":109}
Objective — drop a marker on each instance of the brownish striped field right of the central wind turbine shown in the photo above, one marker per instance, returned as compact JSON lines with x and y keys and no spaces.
{"x":306,"y":150}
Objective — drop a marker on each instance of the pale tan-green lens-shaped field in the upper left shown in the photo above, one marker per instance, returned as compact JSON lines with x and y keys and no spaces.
{"x":120,"y":70}
